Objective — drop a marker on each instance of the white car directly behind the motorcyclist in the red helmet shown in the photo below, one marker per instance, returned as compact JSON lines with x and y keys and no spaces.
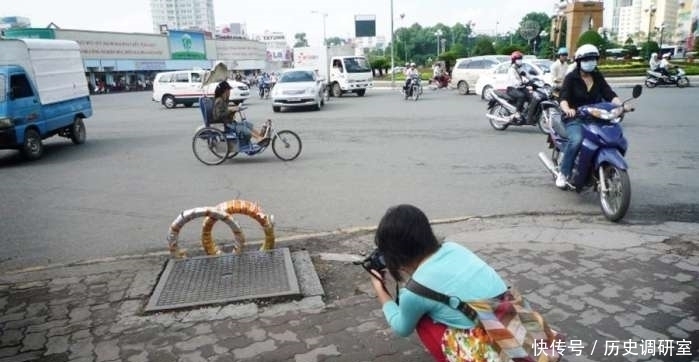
{"x":497,"y":77}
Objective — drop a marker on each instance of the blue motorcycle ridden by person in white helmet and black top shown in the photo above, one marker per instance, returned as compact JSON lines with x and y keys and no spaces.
{"x":600,"y":164}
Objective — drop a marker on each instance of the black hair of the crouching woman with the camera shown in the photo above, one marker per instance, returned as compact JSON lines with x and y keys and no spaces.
{"x":405,"y":237}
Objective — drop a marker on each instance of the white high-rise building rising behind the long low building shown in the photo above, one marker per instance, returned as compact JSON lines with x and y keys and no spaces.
{"x":183,"y":14}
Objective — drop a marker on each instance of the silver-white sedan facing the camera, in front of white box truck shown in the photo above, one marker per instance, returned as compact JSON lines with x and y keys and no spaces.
{"x":298,"y":88}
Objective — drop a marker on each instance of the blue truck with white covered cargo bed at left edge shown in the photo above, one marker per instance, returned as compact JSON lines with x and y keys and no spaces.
{"x":43,"y":92}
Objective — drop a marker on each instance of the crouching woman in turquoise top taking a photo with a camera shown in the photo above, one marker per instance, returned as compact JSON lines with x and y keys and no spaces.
{"x":411,"y":250}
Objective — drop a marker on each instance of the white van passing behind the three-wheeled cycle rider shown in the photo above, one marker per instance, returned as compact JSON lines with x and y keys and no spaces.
{"x":184,"y":87}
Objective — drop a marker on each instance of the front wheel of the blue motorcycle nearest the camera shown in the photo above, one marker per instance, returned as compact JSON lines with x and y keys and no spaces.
{"x":615,"y":201}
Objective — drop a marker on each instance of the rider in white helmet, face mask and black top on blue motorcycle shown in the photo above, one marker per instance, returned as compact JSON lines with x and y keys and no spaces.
{"x":583,"y":86}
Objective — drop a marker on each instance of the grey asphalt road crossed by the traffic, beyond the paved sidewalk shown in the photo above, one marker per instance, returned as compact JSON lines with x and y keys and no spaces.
{"x":118,"y":193}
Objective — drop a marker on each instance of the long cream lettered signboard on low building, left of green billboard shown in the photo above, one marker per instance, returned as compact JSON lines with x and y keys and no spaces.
{"x":94,"y":44}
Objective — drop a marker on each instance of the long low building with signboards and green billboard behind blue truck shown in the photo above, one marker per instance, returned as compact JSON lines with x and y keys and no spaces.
{"x":123,"y":60}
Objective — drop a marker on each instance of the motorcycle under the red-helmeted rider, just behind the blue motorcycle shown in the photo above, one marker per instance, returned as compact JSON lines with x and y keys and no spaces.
{"x":501,"y":107}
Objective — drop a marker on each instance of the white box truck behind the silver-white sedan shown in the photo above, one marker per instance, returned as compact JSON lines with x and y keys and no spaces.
{"x":342,"y":71}
